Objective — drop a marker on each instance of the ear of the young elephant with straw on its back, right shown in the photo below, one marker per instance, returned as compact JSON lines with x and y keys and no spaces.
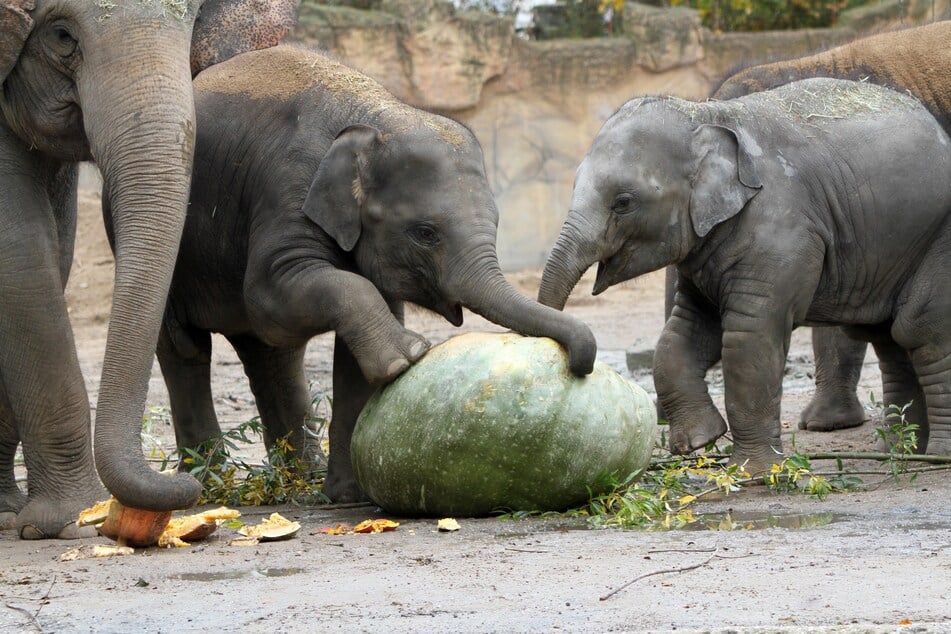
{"x":726,"y":178}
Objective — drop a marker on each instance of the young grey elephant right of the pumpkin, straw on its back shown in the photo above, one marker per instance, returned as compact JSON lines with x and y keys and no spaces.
{"x":821,"y":202}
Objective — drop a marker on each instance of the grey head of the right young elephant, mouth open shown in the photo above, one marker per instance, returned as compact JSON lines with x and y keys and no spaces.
{"x":657,"y":179}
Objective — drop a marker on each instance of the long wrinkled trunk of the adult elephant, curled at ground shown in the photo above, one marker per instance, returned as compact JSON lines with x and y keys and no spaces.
{"x":140,"y":127}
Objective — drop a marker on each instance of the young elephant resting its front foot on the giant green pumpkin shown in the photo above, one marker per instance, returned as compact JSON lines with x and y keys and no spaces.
{"x":320,"y":202}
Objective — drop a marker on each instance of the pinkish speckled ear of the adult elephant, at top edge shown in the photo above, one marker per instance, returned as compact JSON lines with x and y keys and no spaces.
{"x":225,"y":28}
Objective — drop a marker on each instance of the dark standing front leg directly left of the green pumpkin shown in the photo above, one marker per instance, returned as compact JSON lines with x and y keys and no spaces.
{"x":351,"y":392}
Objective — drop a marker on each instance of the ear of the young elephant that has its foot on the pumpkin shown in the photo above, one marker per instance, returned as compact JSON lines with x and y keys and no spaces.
{"x":337,"y":194}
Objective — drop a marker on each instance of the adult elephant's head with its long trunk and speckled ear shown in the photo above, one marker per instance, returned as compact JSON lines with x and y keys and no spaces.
{"x":111,"y":81}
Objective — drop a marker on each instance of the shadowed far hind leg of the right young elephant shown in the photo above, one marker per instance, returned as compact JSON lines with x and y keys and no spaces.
{"x":900,"y":387}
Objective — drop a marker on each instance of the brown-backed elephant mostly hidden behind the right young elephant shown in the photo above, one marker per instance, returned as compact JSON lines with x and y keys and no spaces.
{"x":917,"y":60}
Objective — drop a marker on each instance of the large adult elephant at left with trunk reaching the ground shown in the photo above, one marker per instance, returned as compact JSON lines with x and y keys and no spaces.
{"x":109,"y":82}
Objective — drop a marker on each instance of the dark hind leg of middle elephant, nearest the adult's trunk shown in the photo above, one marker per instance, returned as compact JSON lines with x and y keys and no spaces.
{"x":185,"y":359}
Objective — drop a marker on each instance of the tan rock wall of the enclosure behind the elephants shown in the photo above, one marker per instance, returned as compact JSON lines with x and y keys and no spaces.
{"x":536,"y":106}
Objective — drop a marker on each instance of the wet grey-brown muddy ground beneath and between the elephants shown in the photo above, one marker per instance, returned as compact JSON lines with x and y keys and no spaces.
{"x":872,"y":560}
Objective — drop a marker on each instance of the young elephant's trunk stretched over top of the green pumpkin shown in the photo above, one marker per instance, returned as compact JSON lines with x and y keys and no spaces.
{"x":486,"y":292}
